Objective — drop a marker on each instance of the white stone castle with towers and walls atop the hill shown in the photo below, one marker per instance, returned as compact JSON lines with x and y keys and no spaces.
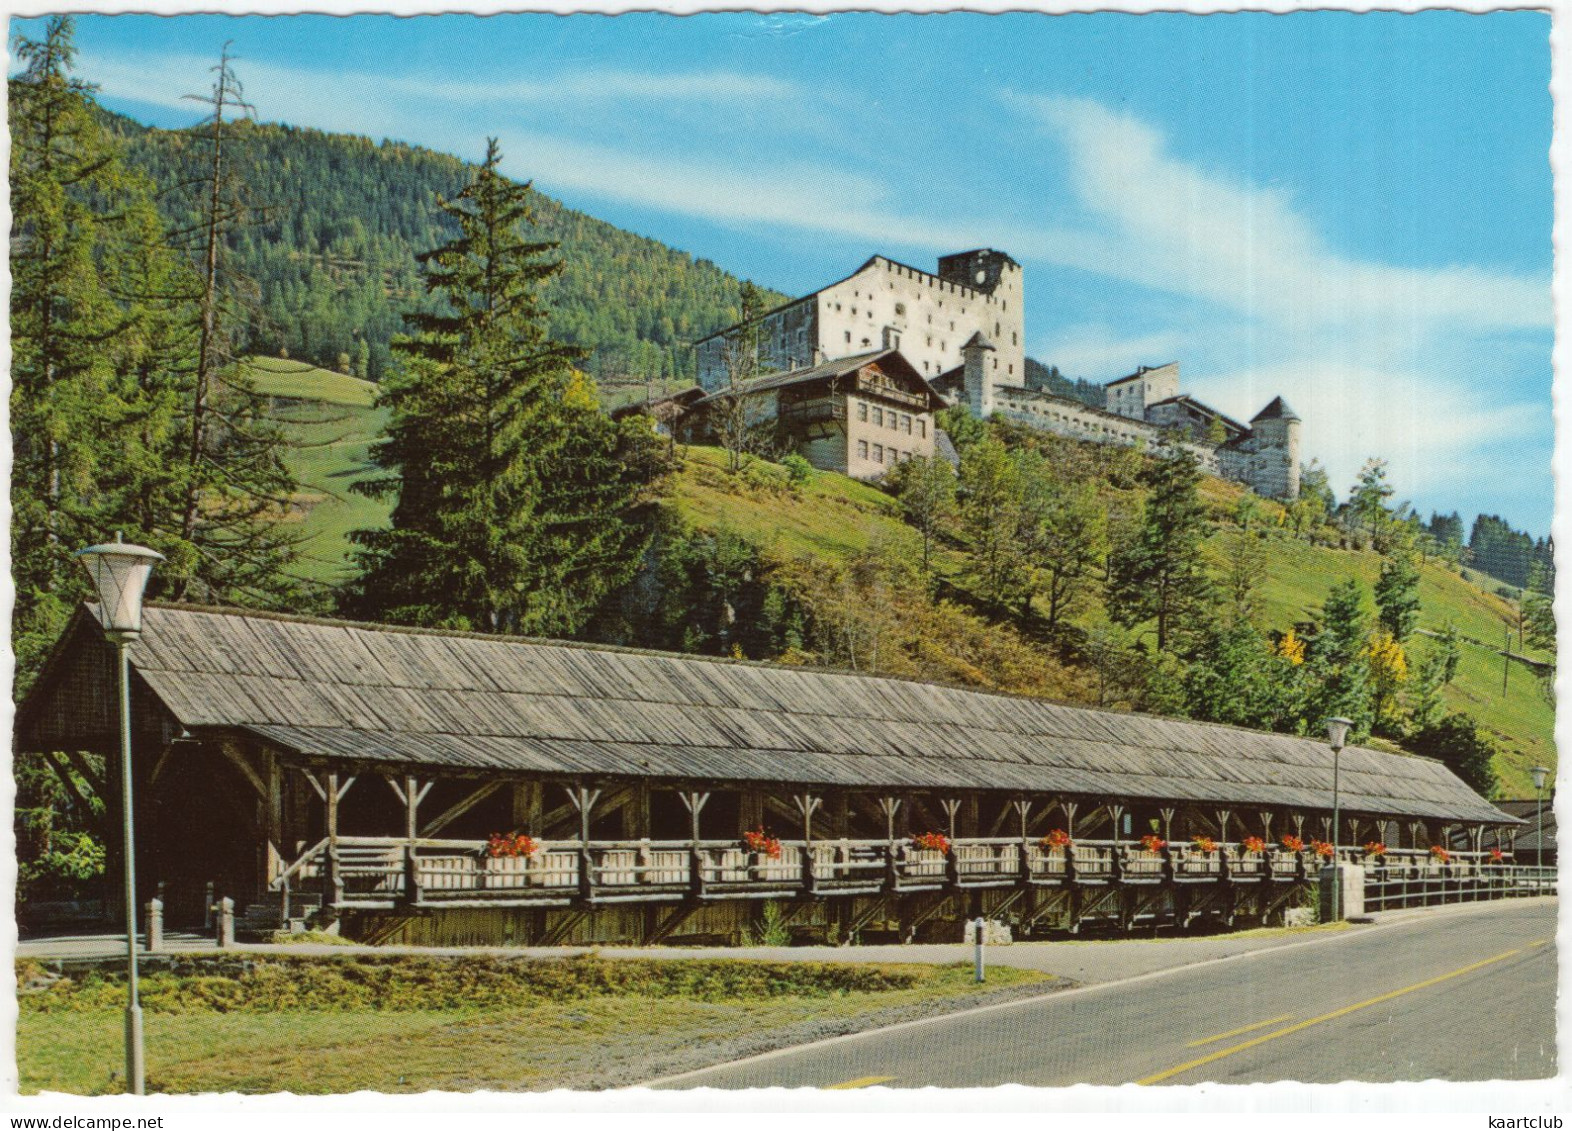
{"x":964,"y":333}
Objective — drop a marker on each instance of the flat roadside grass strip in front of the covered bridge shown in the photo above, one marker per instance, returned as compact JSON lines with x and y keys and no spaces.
{"x":329,"y":1025}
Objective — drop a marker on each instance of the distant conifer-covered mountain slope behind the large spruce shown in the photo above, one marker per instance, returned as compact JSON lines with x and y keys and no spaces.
{"x":336,"y":224}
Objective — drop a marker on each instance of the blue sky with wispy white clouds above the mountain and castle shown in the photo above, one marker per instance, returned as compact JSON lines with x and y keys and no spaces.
{"x":1350,"y":210}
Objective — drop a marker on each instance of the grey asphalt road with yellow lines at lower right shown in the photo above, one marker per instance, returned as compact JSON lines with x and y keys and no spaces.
{"x":1439,"y":997}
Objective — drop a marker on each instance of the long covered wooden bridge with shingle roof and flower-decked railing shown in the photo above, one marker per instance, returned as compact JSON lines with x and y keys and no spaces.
{"x":439,"y":787}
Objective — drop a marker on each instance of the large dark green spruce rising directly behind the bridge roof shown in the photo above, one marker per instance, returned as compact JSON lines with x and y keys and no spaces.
{"x":513,"y":495}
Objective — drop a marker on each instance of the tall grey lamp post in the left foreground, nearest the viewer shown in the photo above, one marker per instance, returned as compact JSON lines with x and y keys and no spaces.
{"x":120,"y":575}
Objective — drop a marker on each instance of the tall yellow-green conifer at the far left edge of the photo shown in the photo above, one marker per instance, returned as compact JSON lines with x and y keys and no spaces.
{"x":65,"y":186}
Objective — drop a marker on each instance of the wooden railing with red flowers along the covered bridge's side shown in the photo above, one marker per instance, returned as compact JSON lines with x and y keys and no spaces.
{"x":383,"y":872}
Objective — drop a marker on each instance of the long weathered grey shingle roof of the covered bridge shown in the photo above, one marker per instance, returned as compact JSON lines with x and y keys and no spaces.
{"x":468,"y":702}
